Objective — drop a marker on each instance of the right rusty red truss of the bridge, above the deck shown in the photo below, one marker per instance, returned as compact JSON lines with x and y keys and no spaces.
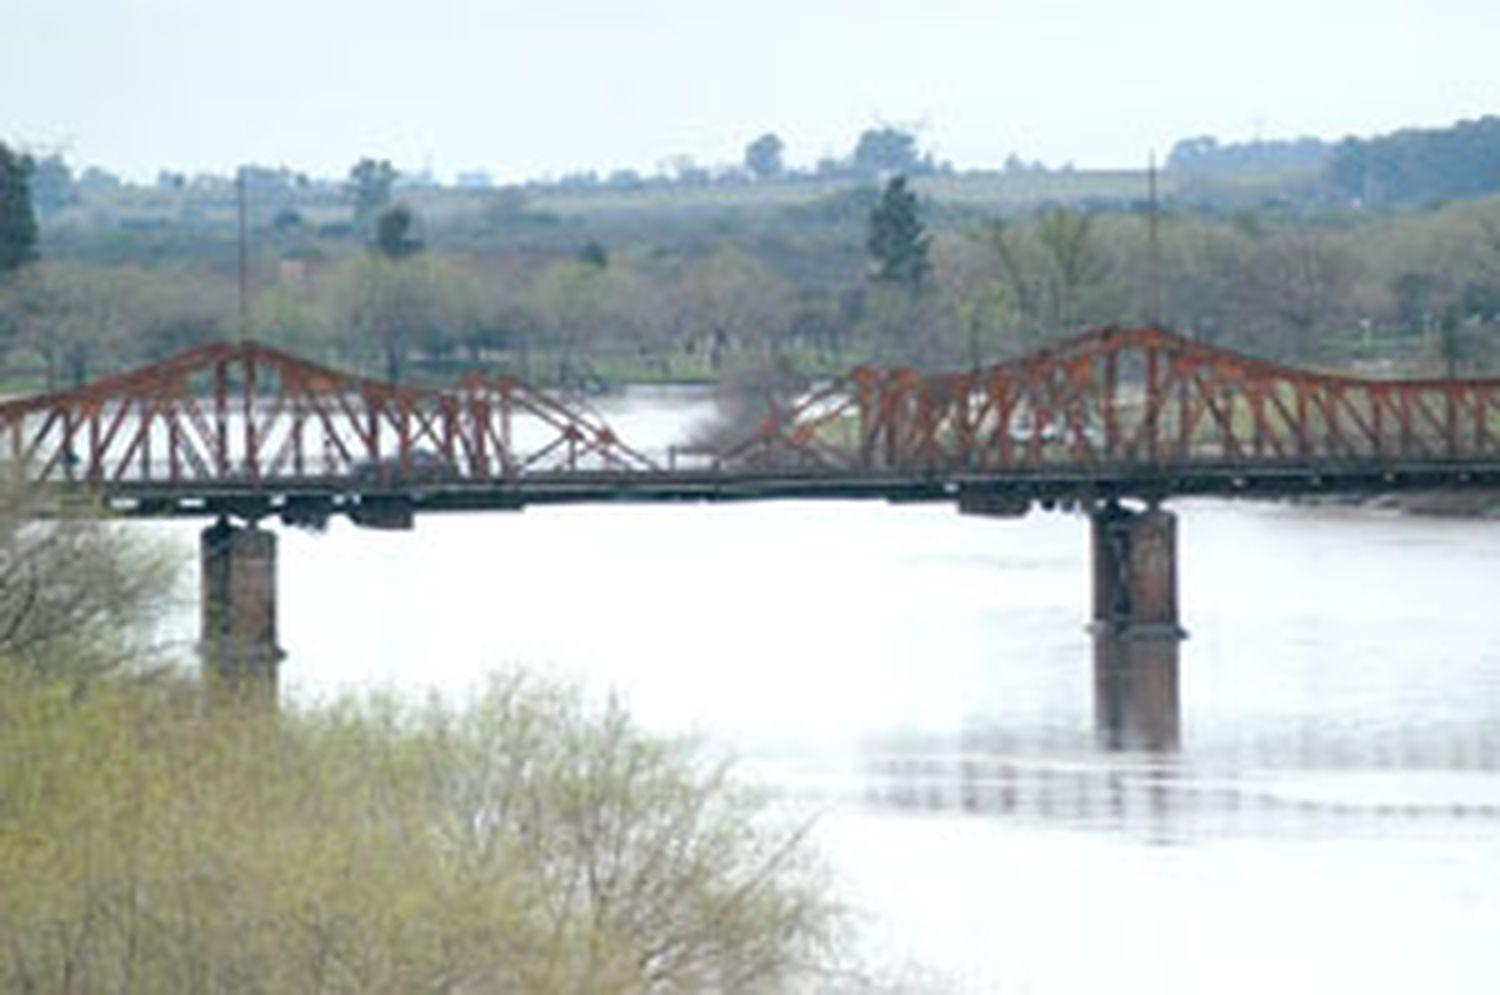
{"x":1126,"y":398}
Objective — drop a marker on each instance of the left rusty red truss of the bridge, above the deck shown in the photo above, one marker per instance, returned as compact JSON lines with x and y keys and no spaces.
{"x":248,"y":413}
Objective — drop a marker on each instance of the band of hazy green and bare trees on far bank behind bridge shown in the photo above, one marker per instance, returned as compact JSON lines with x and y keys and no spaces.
{"x":683,"y":301}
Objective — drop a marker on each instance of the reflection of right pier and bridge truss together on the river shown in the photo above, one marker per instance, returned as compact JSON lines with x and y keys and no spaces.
{"x":1130,"y":777}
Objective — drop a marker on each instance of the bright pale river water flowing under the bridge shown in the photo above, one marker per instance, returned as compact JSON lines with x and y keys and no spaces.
{"x":922,"y":684}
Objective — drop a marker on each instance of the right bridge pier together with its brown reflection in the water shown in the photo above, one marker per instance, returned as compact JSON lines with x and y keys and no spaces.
{"x":1136,"y":633}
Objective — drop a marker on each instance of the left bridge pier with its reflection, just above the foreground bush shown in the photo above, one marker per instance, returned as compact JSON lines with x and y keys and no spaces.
{"x":239,"y":613}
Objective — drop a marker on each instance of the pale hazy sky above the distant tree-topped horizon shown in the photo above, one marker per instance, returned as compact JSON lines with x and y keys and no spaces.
{"x":530,"y":89}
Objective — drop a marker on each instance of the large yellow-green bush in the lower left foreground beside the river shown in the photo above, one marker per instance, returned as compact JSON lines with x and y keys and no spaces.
{"x":521,"y":844}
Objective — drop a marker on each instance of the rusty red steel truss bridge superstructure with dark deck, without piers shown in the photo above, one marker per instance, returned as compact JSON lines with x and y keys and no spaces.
{"x":251,"y":431}
